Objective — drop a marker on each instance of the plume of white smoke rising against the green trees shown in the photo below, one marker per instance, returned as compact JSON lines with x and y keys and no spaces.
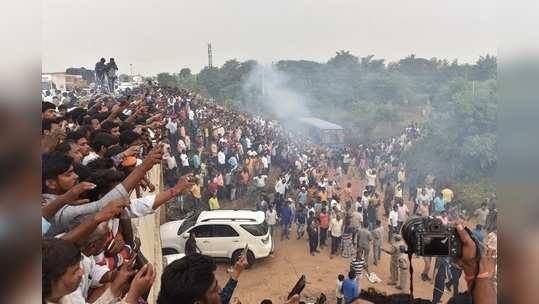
{"x":270,"y":89}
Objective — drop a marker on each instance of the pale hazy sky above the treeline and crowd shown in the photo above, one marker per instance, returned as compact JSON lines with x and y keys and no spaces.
{"x":166,"y":35}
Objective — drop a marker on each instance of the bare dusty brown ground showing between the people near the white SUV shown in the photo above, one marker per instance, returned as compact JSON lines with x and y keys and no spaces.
{"x":275,"y":276}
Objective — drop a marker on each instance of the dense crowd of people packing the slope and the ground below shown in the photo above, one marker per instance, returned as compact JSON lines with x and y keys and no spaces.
{"x":97,"y":149}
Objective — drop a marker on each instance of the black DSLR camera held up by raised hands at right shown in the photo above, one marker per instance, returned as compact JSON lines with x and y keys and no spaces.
{"x":428,"y":236}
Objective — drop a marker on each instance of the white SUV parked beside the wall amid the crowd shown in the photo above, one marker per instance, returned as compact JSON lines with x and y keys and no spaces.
{"x":220,"y":234}
